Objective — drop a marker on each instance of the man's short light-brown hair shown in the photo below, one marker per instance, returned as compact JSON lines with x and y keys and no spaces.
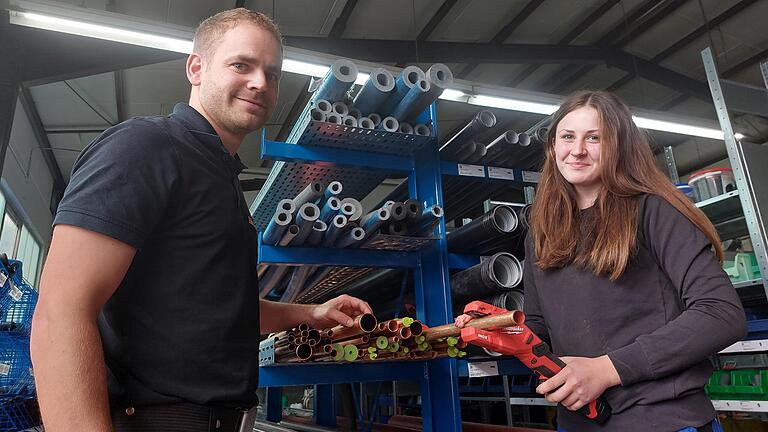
{"x":212,"y":29}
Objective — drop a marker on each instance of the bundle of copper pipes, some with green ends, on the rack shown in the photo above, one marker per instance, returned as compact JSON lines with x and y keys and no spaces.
{"x":365,"y":340}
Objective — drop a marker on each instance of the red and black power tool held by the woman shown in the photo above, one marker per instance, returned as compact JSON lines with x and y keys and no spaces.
{"x":522,"y":343}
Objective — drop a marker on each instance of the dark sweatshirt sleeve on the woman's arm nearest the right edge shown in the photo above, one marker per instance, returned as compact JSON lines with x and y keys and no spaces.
{"x":713,"y":317}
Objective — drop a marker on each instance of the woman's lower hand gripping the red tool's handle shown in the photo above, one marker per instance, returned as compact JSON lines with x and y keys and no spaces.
{"x":580,"y":382}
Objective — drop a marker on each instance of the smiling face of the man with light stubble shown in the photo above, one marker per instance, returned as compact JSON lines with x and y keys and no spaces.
{"x":240,"y":78}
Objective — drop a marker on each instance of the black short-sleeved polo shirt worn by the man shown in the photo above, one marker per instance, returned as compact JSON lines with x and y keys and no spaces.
{"x":184,"y":322}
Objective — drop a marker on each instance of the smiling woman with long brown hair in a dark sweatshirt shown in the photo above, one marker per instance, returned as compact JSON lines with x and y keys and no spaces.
{"x":623,"y":275}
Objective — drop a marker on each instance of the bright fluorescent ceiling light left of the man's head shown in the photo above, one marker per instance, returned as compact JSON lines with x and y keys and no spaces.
{"x":97,"y":31}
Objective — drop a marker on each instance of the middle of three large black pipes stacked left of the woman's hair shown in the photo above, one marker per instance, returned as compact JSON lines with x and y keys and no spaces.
{"x":494,"y":275}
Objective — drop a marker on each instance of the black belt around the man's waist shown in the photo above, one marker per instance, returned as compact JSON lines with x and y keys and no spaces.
{"x":181,"y":417}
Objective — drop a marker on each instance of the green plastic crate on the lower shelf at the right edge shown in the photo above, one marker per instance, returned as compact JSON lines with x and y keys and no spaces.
{"x":744,"y":384}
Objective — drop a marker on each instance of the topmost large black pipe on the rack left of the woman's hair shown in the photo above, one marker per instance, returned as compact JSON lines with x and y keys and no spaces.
{"x":488,"y":232}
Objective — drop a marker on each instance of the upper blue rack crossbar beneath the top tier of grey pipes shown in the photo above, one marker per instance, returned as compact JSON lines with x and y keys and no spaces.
{"x":277,"y":150}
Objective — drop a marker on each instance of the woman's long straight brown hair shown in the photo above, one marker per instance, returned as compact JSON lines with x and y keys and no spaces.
{"x":627,"y":169}
